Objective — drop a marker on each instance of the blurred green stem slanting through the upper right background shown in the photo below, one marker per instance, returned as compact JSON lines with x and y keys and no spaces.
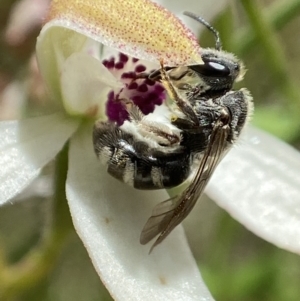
{"x":274,"y":56}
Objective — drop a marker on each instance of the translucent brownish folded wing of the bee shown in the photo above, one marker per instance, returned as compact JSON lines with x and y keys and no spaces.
{"x":170,"y":213}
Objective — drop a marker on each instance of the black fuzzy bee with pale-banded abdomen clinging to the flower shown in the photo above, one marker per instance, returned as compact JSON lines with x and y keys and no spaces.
{"x":203,"y":121}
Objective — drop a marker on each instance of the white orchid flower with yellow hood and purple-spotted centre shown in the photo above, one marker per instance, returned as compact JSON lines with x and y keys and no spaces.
{"x":256,"y":182}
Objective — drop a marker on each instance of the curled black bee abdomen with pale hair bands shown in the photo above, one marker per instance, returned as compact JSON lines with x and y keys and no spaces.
{"x":136,"y":163}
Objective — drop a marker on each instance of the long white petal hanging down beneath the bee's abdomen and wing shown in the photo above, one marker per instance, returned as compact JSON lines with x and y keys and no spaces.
{"x":109,"y":217}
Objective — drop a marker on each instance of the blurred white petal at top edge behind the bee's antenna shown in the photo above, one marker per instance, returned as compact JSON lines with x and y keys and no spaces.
{"x":206,"y":9}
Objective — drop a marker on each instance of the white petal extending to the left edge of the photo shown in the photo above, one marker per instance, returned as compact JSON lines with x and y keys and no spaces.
{"x":26,"y":146}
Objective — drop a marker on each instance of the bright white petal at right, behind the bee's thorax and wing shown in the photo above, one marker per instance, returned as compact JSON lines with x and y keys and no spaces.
{"x":258,"y":183}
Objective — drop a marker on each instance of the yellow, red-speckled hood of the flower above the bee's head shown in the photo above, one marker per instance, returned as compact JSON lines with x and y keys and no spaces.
{"x":140,"y":28}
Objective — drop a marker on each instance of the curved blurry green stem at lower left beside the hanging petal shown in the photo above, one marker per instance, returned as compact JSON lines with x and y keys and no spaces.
{"x":20,"y":277}
